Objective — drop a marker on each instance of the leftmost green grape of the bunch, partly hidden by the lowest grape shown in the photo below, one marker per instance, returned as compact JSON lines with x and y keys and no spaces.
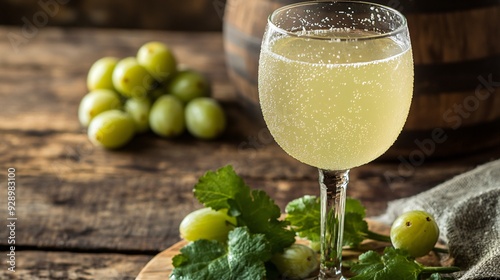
{"x":95,"y":102}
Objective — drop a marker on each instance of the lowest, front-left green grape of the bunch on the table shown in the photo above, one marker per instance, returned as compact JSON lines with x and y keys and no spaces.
{"x":111,"y":129}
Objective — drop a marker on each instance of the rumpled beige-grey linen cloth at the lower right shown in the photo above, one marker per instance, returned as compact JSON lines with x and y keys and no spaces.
{"x":467,"y":210}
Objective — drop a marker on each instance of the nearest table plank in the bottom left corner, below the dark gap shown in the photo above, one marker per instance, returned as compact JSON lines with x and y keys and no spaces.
{"x":38,"y":265}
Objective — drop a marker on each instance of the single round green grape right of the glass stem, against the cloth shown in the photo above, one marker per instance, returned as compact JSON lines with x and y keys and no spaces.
{"x":416,"y":232}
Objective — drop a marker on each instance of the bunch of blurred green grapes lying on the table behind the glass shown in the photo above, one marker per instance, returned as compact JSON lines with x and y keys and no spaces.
{"x":147,"y":92}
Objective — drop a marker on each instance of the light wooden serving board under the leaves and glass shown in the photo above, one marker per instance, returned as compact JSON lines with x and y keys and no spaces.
{"x":160,"y":267}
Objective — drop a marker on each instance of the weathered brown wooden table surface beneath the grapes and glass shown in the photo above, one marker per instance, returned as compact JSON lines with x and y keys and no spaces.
{"x":87,"y":213}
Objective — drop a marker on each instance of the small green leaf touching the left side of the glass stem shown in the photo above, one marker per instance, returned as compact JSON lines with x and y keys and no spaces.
{"x":305,"y":217}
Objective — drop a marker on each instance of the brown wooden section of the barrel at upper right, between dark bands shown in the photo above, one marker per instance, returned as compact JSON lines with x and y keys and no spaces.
{"x":455,"y":36}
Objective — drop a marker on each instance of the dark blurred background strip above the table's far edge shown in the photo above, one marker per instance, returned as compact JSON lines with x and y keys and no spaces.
{"x":183,"y":15}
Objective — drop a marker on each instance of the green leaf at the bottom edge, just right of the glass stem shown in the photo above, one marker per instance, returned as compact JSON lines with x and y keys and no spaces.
{"x":393,"y":264}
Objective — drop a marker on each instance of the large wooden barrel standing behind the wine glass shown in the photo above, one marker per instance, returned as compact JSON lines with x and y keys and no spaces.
{"x":456,"y":48}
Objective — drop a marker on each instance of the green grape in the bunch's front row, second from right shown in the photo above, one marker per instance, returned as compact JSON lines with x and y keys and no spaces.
{"x":166,"y":117}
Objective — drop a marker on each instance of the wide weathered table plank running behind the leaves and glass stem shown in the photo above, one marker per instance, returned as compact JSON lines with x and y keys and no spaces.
{"x":75,"y":196}
